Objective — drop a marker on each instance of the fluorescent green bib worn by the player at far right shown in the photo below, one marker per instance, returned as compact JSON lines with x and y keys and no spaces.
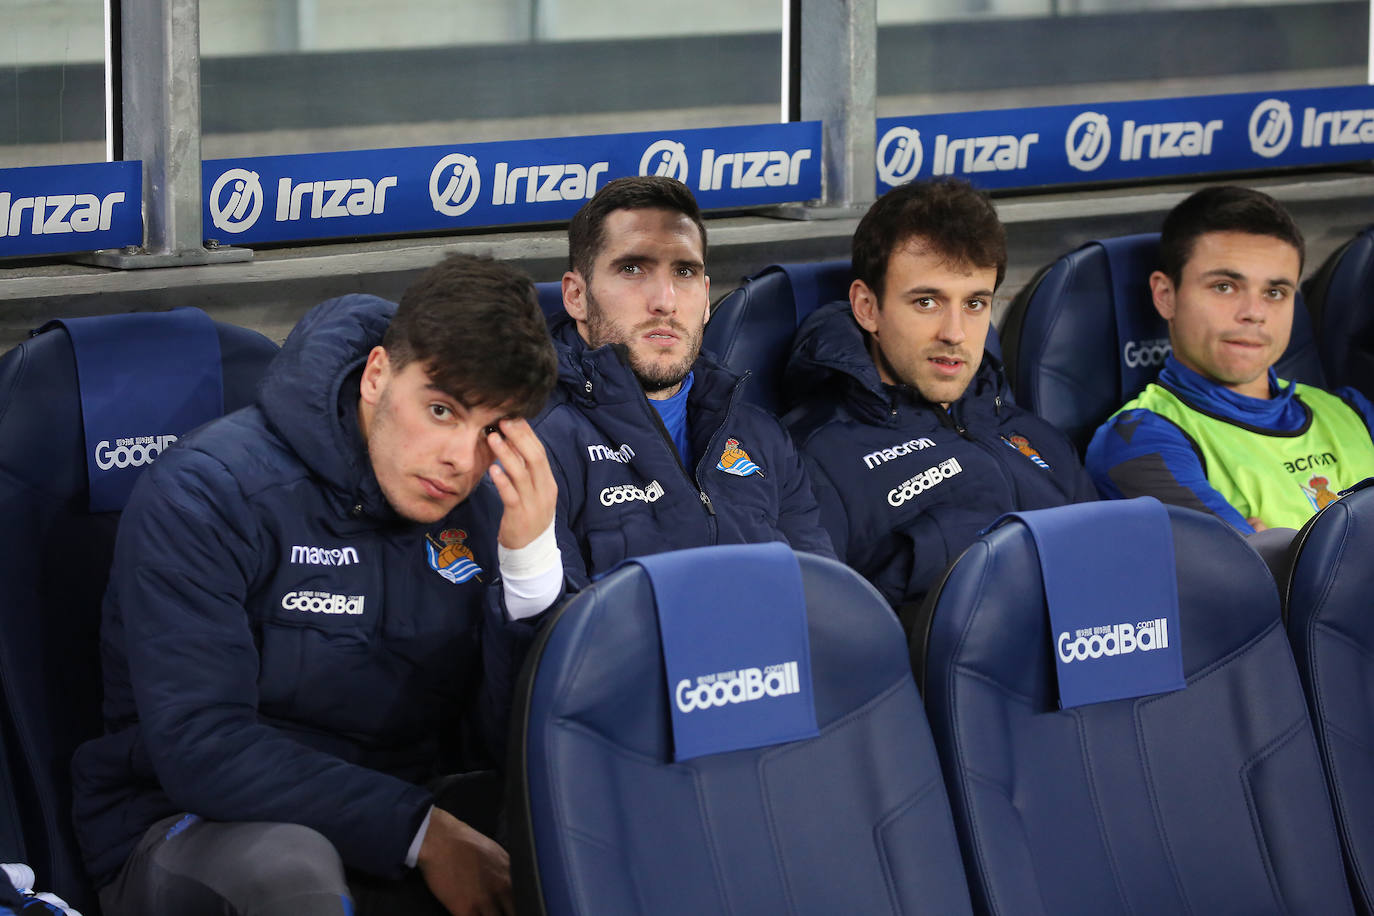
{"x":1281,"y":479}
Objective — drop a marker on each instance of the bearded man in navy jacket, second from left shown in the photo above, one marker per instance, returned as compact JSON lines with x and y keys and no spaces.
{"x":649,"y":442}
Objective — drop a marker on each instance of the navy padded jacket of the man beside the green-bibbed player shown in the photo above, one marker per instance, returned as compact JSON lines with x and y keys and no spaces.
{"x":903,"y":485}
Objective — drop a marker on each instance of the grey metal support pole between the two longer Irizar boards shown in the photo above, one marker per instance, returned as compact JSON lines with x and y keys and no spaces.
{"x":840,"y":89}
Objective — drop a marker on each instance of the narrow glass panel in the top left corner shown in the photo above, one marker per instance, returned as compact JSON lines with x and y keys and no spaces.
{"x":52,"y":82}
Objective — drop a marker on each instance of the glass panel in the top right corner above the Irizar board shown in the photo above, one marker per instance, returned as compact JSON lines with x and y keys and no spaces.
{"x":968,"y":56}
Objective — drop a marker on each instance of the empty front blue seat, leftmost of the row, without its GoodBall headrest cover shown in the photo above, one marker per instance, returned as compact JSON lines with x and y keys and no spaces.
{"x":851,"y":822}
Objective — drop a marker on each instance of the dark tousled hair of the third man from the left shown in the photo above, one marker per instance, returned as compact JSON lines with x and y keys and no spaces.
{"x":950,"y":215}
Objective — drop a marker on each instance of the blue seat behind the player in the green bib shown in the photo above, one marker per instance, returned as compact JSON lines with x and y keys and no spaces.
{"x":1083,"y":337}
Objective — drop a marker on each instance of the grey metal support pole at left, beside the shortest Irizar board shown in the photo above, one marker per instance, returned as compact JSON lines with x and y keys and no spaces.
{"x":161,"y":90}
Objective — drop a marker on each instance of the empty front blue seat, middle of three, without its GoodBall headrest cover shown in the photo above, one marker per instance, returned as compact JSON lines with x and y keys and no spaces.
{"x":1207,"y":800}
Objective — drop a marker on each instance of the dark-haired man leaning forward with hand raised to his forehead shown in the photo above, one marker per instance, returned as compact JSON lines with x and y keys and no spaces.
{"x":313,"y":602}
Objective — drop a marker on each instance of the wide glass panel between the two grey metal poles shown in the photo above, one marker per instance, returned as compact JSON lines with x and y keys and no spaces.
{"x":313,"y":76}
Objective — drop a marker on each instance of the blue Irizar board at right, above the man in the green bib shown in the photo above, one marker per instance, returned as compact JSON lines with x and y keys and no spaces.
{"x":1126,"y":141}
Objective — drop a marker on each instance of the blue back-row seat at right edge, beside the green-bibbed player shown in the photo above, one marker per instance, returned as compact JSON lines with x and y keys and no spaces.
{"x":1342,"y":300}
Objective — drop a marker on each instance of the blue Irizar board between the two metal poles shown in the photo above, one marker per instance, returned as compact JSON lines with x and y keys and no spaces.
{"x":482,"y":185}
